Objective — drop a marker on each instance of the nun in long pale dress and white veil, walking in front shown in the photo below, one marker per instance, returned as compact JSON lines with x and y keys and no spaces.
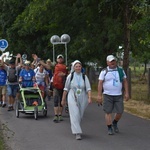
{"x":79,"y":95}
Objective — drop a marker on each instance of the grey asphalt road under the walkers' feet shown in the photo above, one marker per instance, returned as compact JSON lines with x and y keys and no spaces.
{"x":26,"y":133}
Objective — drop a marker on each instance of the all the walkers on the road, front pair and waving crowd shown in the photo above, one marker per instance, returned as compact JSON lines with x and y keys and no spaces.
{"x":70,"y":88}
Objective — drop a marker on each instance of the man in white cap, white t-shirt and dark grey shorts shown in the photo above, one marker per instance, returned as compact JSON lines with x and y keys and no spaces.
{"x":111,"y":82}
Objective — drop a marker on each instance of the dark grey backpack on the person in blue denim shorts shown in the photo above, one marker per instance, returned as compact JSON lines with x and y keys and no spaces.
{"x":12,"y":75}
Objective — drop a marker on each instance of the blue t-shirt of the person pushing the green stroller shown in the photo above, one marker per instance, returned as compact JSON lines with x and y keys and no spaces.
{"x":27,"y":76}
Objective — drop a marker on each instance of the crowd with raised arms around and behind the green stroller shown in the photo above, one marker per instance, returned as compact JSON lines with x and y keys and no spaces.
{"x":18,"y":71}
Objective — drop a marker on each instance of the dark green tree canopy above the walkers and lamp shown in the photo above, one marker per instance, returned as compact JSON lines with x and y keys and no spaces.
{"x":97,"y":28}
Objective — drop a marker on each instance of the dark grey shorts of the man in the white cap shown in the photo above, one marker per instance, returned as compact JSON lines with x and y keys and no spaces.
{"x":113,"y":104}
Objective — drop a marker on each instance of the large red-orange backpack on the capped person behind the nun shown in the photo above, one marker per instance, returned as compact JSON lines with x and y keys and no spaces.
{"x":58,"y":81}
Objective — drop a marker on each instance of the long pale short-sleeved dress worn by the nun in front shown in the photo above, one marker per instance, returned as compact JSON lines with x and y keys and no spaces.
{"x":77,"y":103}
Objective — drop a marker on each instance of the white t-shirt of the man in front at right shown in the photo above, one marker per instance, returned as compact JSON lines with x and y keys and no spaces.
{"x":111,"y":84}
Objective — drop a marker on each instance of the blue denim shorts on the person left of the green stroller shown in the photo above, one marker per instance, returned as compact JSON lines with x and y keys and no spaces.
{"x":12,"y":90}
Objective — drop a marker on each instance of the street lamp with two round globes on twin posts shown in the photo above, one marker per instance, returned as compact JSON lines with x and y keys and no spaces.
{"x":64,"y":39}
